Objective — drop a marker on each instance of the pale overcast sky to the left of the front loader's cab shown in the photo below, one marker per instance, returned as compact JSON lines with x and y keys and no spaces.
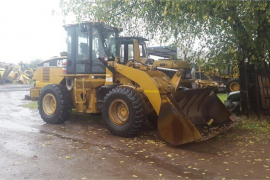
{"x":29,"y":31}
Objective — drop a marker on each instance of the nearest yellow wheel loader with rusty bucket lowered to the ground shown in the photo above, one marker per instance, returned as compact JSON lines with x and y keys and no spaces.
{"x":126,"y":94}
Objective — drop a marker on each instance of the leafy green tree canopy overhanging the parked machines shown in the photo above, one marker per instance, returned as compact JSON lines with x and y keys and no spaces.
{"x":227,"y":30}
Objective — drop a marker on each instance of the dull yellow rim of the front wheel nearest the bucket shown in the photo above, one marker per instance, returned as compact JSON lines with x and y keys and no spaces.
{"x":119,"y":112}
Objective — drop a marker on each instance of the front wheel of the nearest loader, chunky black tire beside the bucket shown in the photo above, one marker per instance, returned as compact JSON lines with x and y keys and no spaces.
{"x":133,"y":104}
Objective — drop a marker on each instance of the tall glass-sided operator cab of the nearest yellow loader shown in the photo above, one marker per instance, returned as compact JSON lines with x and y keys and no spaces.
{"x":86,"y":43}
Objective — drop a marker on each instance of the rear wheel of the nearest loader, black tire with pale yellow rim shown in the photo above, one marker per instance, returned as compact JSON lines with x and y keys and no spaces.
{"x":58,"y":96}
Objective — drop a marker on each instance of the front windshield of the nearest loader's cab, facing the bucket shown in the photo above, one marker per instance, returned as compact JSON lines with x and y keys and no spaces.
{"x":109,"y":40}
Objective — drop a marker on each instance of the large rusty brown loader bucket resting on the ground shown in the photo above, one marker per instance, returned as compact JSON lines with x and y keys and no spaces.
{"x":192,"y":115}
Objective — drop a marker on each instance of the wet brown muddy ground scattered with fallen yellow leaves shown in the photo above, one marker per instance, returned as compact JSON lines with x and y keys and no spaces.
{"x":82,"y":148}
